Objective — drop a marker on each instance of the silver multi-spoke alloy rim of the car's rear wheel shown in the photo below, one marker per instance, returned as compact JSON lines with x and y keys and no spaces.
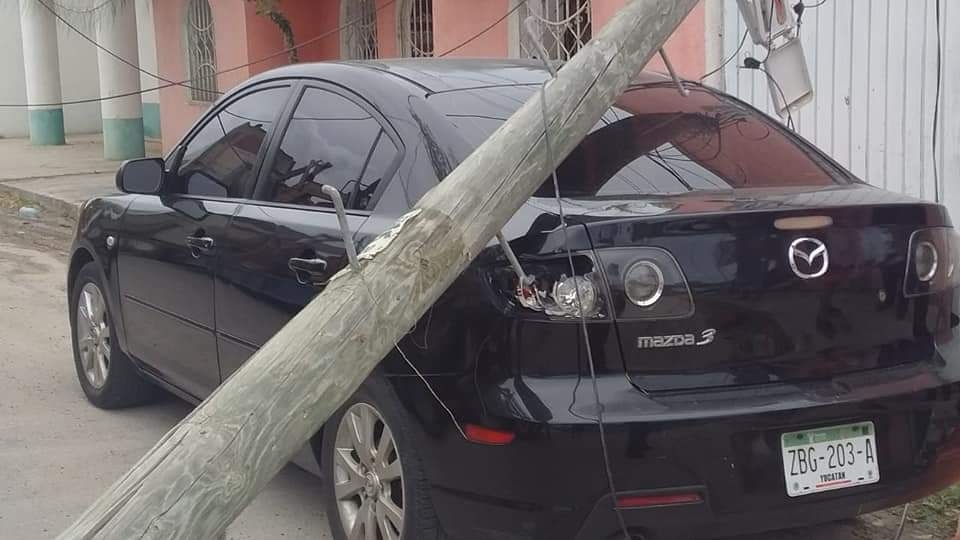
{"x":367,"y":476}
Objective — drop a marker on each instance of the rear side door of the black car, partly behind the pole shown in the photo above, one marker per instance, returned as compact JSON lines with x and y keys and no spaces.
{"x":285,"y":244}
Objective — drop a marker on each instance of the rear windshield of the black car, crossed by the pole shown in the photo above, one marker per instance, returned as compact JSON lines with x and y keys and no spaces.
{"x":655,"y":141}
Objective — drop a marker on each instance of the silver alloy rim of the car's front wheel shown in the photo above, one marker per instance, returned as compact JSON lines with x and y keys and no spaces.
{"x":93,"y":335}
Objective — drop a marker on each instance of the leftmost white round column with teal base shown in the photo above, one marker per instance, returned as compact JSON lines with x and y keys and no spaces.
{"x":41,"y":66}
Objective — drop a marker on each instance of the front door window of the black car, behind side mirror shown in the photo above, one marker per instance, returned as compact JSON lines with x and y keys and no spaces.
{"x":219,"y":160}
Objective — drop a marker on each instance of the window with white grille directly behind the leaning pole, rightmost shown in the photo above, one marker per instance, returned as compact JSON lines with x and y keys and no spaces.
{"x":566,"y":26}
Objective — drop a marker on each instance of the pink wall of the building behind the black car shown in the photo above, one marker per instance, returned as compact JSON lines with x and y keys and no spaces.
{"x":242,"y":37}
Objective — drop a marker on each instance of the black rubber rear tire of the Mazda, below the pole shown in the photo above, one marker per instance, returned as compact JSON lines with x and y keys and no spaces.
{"x":376,"y":397}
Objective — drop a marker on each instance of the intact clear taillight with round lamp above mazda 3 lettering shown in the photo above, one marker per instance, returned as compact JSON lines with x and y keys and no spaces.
{"x":645,"y":283}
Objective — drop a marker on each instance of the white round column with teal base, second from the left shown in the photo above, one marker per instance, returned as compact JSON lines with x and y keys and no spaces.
{"x":122,"y":117}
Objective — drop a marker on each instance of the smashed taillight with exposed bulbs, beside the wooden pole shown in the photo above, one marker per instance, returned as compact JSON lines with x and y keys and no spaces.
{"x":552,"y":291}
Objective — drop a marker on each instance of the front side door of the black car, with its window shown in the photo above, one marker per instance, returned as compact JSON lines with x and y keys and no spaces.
{"x":167,"y":255}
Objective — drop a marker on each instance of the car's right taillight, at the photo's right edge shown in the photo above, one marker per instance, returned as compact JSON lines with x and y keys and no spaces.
{"x":932,"y":261}
